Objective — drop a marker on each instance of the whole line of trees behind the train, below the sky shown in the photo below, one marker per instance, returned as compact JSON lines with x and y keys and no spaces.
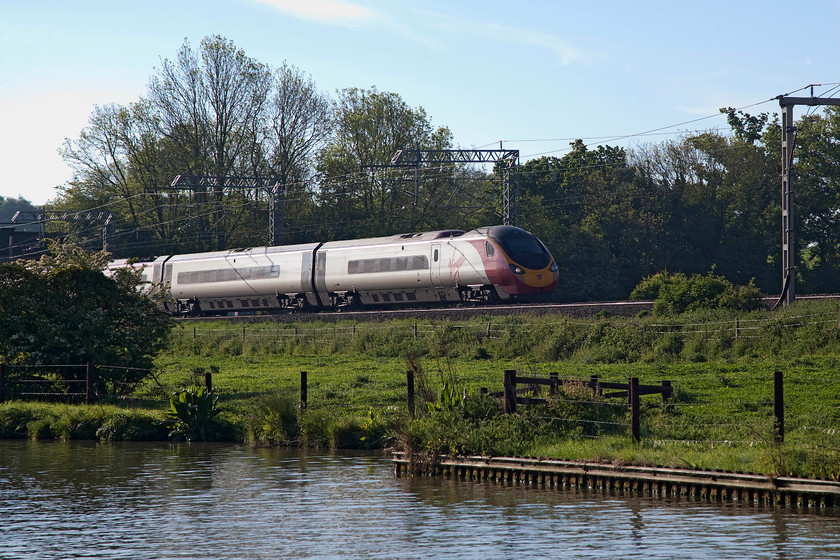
{"x":611,"y":217}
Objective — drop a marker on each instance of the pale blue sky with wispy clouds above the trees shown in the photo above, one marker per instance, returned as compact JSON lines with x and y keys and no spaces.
{"x":534,"y":74}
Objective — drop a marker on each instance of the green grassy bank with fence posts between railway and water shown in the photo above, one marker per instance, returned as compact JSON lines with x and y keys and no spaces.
{"x":720,"y":364}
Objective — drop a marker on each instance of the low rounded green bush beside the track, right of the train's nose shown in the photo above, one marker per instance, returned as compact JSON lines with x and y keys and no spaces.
{"x":677,"y":293}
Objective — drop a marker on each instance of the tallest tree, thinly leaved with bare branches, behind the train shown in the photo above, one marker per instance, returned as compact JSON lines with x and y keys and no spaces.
{"x":209,"y":105}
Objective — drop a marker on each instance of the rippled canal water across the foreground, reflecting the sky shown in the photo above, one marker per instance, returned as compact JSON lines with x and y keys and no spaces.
{"x":209,"y":501}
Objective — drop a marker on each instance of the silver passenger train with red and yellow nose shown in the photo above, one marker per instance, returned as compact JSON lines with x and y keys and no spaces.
{"x":487,"y":264}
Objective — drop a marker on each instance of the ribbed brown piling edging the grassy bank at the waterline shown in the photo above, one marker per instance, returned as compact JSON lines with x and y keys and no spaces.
{"x":654,"y":481}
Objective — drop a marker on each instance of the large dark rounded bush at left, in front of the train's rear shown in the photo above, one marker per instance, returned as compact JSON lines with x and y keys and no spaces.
{"x":62,"y":309}
